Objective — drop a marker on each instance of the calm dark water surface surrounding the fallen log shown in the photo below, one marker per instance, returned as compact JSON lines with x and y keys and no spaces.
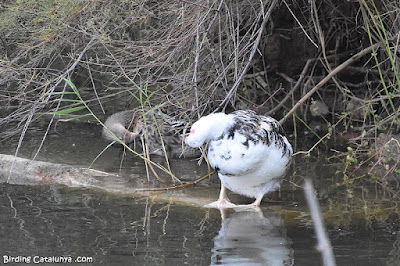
{"x":51,"y":221}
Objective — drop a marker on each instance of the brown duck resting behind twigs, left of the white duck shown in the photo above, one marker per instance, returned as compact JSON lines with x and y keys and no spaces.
{"x":158,"y":131}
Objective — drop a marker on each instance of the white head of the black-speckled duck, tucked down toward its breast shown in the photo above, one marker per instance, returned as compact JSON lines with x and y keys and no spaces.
{"x":208,"y":128}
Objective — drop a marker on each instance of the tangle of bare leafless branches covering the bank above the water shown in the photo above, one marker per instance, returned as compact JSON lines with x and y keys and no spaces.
{"x":202,"y":56}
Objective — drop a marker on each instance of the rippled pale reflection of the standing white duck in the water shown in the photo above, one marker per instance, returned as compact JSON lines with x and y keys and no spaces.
{"x":252,"y":237}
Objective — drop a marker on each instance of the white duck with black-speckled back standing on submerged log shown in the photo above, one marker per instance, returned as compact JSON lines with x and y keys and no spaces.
{"x":250,"y":153}
